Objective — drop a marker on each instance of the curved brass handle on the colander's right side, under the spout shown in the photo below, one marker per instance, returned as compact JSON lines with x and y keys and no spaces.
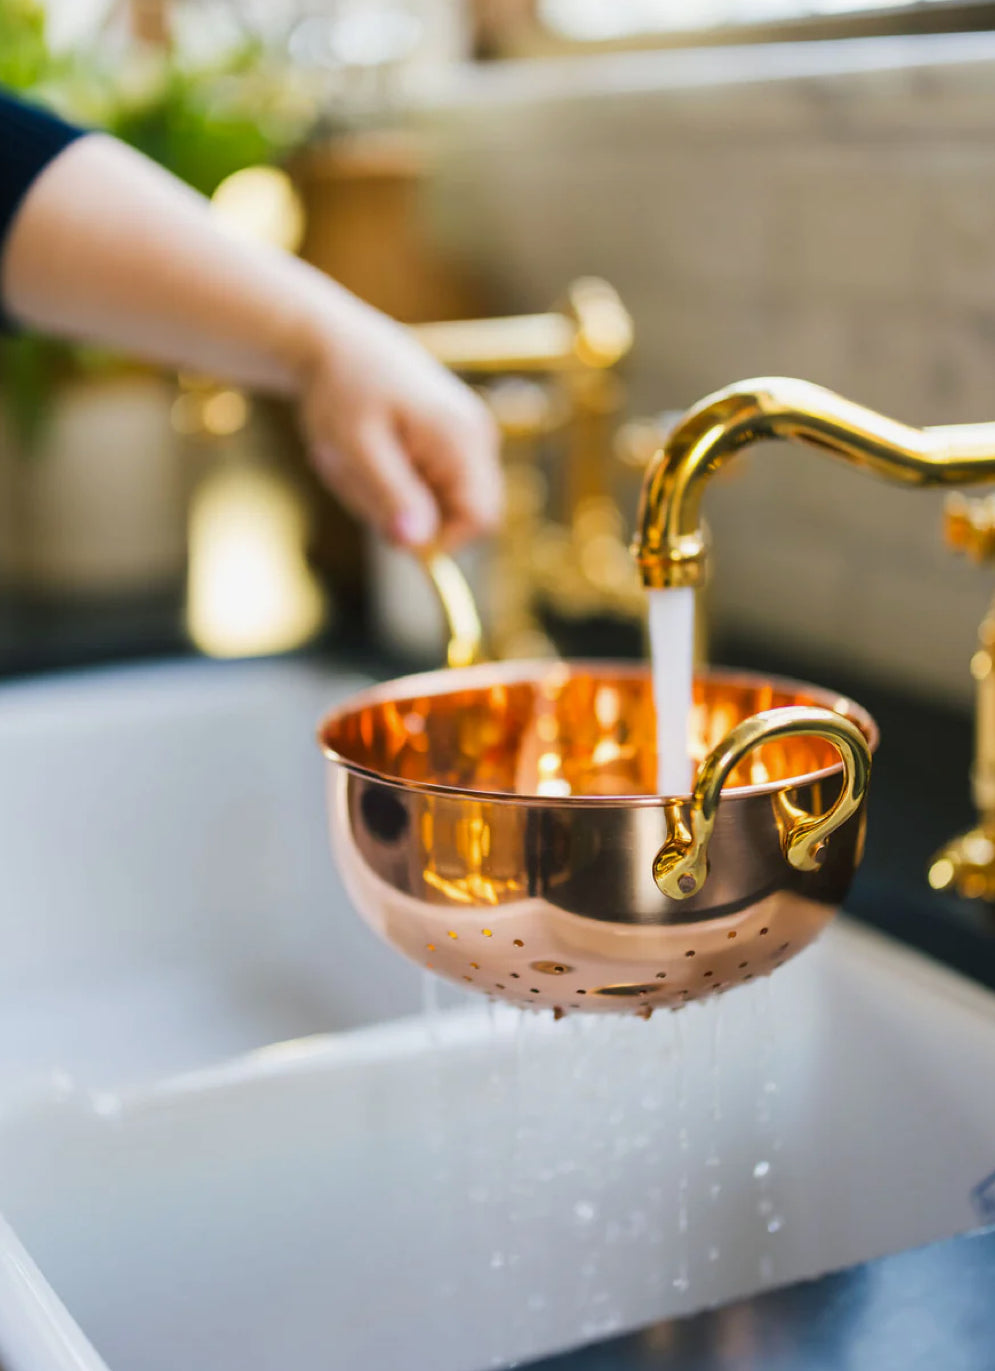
{"x":682,"y":866}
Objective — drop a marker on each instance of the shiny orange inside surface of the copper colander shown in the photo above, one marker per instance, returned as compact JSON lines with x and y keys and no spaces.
{"x":565,"y":730}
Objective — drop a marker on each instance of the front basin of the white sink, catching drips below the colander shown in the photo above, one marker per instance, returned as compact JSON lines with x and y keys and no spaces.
{"x":467,"y":1191}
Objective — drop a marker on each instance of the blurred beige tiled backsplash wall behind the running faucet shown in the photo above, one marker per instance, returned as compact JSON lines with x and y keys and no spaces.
{"x":824,"y":212}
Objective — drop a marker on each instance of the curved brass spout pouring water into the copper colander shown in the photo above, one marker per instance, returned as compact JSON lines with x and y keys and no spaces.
{"x":671,"y":546}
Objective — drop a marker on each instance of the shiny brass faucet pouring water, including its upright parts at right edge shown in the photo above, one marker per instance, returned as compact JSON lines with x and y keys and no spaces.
{"x":671,"y":546}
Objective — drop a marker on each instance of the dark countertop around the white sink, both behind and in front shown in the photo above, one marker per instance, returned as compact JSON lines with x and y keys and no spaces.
{"x":933,"y":1310}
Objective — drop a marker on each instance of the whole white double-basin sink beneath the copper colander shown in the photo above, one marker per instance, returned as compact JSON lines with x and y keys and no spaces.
{"x":231,"y":1141}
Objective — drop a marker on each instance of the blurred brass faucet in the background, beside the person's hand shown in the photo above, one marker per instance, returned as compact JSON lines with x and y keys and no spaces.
{"x":553,"y":376}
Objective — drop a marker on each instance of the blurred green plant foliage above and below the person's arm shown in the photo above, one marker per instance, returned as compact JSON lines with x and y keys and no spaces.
{"x":199,"y":119}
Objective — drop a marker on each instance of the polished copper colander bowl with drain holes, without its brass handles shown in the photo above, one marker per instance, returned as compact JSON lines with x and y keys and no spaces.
{"x":500,"y":826}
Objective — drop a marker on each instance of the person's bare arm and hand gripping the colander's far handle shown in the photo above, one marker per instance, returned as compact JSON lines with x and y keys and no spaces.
{"x":105,"y":247}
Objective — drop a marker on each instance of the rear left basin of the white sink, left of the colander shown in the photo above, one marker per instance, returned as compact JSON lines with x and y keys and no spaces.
{"x":169,"y":899}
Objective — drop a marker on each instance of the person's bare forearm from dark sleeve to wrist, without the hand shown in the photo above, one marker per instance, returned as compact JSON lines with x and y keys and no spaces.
{"x":157,"y":278}
